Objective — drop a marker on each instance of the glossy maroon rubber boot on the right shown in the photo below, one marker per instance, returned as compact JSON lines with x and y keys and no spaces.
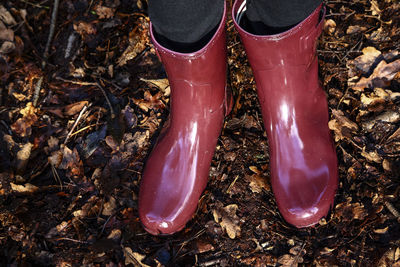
{"x":303,"y":160}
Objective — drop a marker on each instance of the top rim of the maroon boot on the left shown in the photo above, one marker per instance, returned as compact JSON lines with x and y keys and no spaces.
{"x":191,"y":55}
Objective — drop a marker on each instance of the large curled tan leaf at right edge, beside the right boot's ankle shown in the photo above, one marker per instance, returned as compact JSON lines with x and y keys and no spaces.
{"x":381,"y":76}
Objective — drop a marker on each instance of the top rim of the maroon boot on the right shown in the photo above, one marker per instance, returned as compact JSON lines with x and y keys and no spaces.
{"x":305,"y":24}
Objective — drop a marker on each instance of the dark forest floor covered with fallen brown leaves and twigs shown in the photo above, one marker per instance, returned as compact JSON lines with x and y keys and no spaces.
{"x":78,"y":121}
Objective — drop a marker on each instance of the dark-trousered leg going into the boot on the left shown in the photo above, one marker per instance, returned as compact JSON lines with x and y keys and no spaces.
{"x":185,"y":25}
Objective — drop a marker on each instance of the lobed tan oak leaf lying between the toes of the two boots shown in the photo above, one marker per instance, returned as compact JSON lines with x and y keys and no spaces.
{"x":228,"y":220}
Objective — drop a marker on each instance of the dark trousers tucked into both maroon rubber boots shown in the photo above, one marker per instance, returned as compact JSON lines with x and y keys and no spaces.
{"x":186,"y":25}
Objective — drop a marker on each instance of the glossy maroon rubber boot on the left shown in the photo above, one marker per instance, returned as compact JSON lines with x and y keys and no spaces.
{"x":177,"y":170}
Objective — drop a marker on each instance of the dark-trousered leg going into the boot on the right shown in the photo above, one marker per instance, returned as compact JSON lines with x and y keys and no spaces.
{"x":274,"y":16}
